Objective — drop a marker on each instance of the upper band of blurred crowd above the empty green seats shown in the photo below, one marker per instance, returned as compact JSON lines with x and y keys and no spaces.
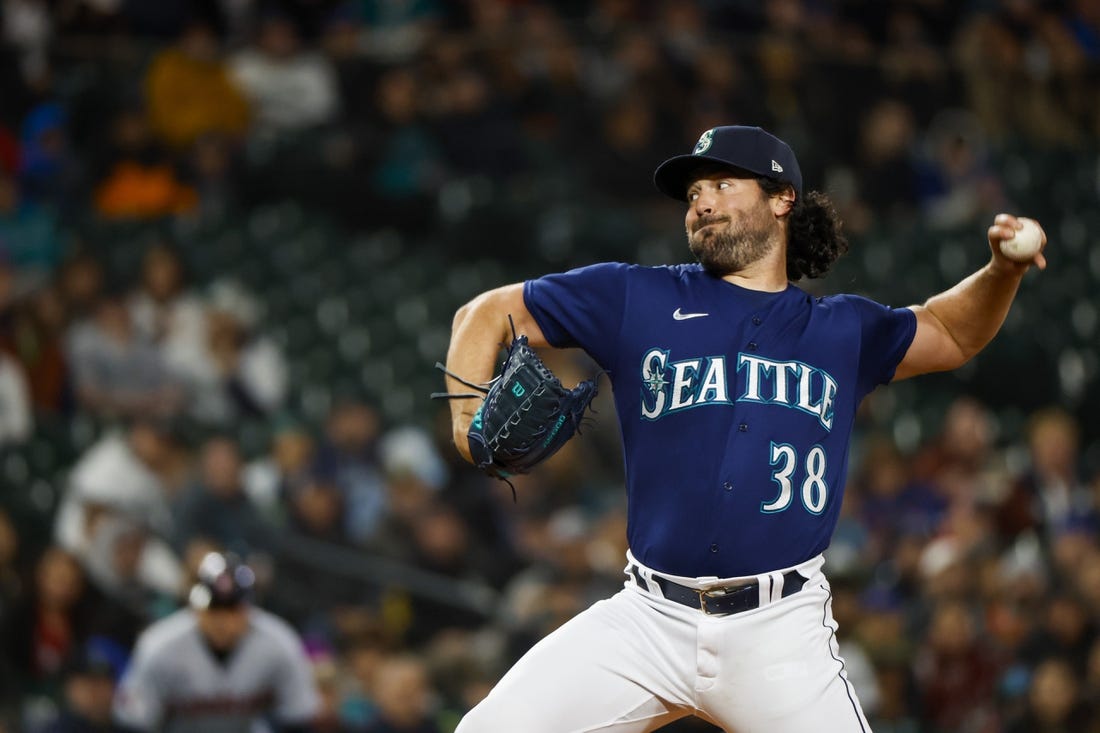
{"x":370,"y":108}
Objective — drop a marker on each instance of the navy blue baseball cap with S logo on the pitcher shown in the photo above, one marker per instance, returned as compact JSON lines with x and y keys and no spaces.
{"x":750,"y":149}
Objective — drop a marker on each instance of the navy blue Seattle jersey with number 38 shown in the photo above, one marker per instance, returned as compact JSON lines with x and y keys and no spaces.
{"x":736,"y":407}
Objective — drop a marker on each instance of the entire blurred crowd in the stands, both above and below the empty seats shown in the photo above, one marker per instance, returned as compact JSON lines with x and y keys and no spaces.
{"x":966,"y":572}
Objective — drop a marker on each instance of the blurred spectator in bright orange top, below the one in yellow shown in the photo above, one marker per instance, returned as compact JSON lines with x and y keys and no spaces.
{"x":137,"y":179}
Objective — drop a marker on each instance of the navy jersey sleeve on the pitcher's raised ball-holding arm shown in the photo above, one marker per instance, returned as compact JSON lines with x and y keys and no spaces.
{"x":886,"y":335}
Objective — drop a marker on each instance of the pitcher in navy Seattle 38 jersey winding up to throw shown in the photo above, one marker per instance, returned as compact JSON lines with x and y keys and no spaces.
{"x":736,"y":395}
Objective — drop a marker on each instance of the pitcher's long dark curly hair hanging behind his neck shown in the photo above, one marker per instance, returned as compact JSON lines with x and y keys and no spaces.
{"x":816,"y":237}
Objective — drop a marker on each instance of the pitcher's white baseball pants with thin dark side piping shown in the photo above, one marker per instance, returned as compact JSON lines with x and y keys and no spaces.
{"x":637,"y":662}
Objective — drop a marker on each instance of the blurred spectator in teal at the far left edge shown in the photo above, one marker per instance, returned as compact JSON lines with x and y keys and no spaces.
{"x":29,"y":238}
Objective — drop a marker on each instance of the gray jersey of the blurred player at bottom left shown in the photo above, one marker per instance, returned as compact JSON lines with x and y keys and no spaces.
{"x":175,"y":684}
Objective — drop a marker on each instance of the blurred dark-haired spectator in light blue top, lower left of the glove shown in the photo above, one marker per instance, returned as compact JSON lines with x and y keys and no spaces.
{"x":347,"y":455}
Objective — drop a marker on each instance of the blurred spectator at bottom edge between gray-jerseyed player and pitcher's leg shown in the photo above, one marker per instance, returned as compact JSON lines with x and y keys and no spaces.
{"x":403,"y":694}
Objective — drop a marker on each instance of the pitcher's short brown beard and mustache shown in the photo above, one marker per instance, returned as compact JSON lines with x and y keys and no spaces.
{"x":724,"y":250}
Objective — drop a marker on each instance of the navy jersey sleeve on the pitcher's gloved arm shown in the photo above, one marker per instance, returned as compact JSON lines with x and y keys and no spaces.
{"x":582,"y":308}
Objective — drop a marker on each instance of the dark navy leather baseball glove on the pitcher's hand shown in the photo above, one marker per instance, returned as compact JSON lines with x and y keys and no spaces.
{"x":526,"y":415}
